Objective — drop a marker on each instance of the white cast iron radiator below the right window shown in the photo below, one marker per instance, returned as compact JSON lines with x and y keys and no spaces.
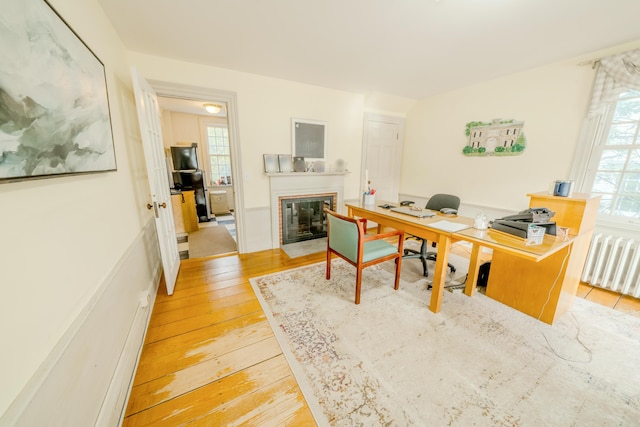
{"x":613,"y":263}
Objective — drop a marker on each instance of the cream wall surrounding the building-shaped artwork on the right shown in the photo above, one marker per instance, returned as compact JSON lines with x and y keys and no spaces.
{"x":551,"y":100}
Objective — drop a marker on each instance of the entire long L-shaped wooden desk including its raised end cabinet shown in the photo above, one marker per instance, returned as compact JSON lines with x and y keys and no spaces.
{"x":539,"y":280}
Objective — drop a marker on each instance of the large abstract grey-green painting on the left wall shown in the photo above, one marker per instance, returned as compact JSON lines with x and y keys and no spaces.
{"x":54,"y":108}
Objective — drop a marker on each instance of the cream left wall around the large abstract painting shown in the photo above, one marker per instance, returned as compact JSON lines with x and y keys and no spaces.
{"x":62,"y":241}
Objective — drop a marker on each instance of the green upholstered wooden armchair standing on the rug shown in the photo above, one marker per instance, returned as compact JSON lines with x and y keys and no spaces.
{"x":347,"y":238}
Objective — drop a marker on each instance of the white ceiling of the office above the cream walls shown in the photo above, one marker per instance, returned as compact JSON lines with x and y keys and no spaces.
{"x":410,"y":48}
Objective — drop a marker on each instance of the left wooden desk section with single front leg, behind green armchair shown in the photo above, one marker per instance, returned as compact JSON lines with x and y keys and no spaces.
{"x":420,"y":227}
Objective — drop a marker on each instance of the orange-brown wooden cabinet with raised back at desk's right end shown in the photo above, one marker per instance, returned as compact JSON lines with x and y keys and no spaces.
{"x":546,"y":289}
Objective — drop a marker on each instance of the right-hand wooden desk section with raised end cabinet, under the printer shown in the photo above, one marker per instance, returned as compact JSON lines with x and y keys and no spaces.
{"x":540,"y":280}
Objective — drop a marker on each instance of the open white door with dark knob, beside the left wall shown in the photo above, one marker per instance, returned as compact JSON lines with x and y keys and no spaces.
{"x":151,"y":134}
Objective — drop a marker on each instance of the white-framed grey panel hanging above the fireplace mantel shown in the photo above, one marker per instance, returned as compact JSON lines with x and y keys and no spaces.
{"x":309,"y":139}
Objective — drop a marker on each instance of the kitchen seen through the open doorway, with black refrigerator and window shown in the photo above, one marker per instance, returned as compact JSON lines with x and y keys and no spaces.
{"x":201,"y":126}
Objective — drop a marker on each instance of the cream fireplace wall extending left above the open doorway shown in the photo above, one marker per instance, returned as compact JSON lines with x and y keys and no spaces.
{"x":265,"y":108}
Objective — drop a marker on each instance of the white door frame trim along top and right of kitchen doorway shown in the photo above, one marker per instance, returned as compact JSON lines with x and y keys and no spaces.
{"x":181,"y":91}
